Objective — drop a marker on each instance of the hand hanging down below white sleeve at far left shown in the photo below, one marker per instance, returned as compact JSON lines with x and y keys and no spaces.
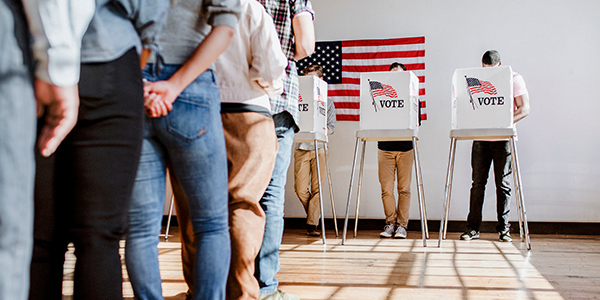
{"x":60,"y":106}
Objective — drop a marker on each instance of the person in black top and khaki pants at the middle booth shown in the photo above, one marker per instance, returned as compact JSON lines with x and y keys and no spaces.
{"x":395,"y":158}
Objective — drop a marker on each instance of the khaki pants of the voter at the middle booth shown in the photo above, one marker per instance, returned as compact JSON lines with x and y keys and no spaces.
{"x":392,"y":164}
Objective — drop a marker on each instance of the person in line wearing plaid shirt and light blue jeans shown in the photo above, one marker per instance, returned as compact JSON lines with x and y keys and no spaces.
{"x":294,"y":23}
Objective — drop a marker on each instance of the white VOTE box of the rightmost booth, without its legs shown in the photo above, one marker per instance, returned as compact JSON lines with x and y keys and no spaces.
{"x":482,"y":98}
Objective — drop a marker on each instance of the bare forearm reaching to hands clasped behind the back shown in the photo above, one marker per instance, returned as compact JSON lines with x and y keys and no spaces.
{"x":160,"y":95}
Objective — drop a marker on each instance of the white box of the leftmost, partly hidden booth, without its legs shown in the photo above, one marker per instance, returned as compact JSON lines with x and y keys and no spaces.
{"x":312,"y":104}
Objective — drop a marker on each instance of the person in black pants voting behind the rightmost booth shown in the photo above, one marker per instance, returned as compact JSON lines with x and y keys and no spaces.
{"x":483,"y":153}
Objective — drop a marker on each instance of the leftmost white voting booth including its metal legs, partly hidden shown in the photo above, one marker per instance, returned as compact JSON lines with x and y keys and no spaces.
{"x":312,"y":105}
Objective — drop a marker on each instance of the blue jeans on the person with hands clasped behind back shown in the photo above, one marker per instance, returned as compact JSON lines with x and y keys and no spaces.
{"x":189,"y":142}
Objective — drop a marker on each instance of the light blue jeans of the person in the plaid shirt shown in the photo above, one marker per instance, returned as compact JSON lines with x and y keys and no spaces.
{"x":267,"y":261}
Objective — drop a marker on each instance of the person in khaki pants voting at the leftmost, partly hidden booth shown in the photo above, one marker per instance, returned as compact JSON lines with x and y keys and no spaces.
{"x":305,"y":166}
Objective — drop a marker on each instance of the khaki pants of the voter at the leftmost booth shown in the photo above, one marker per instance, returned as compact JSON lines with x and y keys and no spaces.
{"x":306,"y":182}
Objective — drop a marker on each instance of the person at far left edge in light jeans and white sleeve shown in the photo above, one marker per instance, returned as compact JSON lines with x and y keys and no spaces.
{"x":56,"y":33}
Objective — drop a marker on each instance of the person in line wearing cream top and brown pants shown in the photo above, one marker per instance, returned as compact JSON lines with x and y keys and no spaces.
{"x":249,"y":71}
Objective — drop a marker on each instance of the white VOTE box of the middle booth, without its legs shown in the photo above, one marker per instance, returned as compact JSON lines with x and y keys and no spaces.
{"x":389,"y":100}
